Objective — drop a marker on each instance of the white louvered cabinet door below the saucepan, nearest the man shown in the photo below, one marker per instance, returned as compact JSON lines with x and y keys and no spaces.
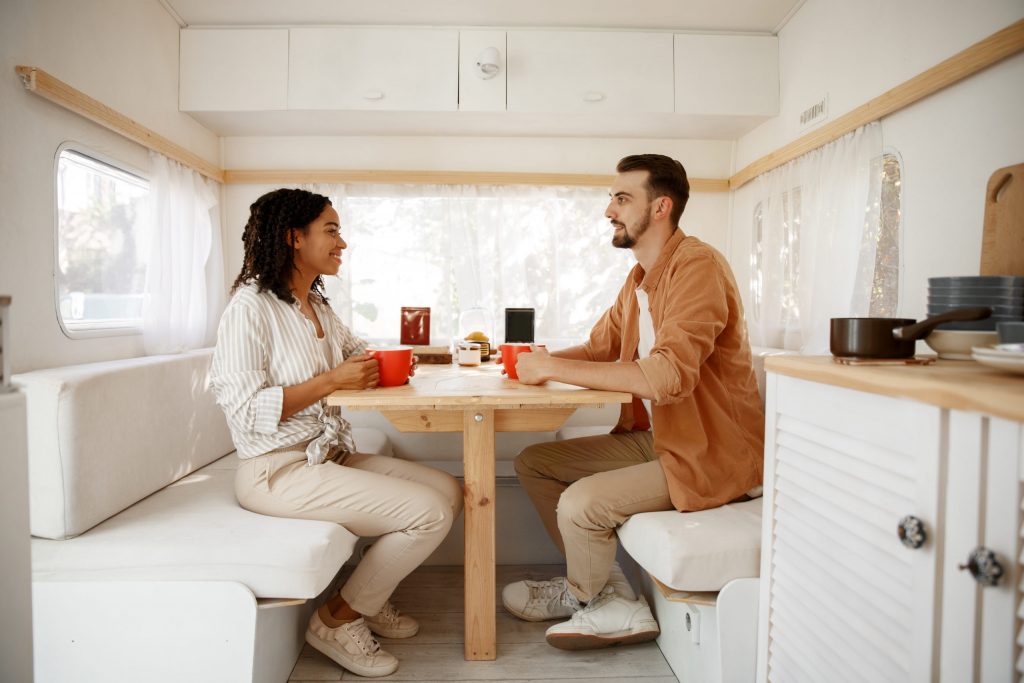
{"x":849,"y":560}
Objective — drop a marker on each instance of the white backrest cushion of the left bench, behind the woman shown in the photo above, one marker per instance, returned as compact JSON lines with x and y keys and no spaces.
{"x":105,"y":436}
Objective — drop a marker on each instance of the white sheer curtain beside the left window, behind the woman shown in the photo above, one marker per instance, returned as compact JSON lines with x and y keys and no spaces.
{"x":184,"y":280}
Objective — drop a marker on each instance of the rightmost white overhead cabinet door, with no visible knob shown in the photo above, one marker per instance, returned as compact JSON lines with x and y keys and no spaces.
{"x":728,"y":75}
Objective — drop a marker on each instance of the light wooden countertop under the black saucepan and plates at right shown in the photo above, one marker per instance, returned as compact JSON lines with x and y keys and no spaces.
{"x":962,"y":386}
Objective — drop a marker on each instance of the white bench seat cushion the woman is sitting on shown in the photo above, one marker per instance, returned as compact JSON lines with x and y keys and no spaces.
{"x":196,"y":531}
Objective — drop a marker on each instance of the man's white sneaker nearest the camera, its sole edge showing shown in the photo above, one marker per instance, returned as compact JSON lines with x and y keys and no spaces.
{"x":608,"y":620}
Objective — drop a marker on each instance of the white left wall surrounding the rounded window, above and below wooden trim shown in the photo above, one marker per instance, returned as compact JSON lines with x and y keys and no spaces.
{"x":122,"y":53}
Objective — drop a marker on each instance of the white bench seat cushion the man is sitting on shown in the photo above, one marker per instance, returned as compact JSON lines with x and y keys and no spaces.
{"x":697,"y":551}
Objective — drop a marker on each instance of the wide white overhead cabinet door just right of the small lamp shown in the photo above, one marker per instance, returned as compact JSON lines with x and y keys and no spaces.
{"x":556,"y":71}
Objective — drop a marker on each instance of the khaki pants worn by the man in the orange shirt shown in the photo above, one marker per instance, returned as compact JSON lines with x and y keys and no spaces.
{"x":584,"y":489}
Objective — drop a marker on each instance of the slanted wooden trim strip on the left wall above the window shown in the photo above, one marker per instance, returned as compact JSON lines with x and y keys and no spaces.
{"x":45,"y":86}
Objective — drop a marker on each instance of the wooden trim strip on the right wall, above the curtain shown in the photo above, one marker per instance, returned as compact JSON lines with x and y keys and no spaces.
{"x":983,"y":55}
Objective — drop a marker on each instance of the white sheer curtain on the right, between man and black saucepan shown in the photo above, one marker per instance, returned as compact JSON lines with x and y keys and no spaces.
{"x":816,"y":248}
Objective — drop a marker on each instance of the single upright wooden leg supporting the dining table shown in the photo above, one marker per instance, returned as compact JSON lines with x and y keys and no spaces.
{"x":479,"y":459}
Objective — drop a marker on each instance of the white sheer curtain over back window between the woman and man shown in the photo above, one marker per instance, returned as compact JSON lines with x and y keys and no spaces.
{"x":459,"y":247}
